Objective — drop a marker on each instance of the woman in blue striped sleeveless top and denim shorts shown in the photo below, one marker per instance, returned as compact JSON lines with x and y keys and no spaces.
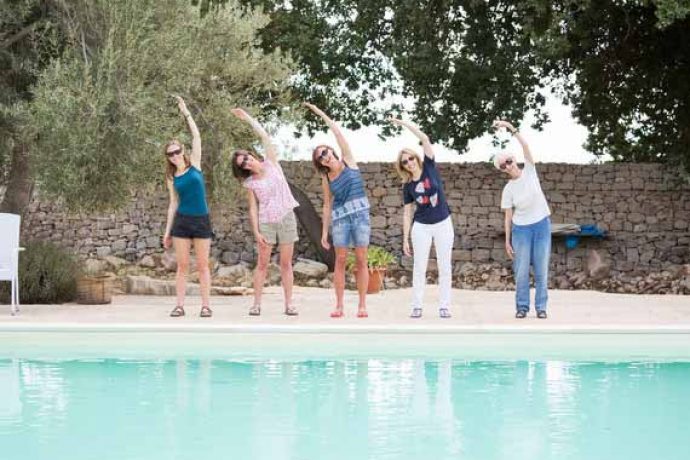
{"x":346,"y":210}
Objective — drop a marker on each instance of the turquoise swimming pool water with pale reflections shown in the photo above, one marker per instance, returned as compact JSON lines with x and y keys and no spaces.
{"x":393,"y":408}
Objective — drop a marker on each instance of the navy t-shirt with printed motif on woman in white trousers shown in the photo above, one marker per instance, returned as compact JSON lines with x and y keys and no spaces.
{"x":427,"y":192}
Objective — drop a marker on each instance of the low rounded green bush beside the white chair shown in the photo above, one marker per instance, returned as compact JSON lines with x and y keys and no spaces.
{"x":47,"y":275}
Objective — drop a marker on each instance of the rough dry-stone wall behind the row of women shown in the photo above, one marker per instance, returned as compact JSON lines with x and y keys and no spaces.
{"x":645,"y":210}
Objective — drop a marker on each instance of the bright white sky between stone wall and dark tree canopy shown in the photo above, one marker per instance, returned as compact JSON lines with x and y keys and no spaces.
{"x":561,"y":141}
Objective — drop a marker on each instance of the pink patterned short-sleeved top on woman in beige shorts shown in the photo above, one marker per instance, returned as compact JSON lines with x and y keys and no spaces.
{"x":272,"y":192}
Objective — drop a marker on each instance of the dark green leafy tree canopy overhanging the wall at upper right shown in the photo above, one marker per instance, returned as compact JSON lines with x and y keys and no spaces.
{"x":622,"y":65}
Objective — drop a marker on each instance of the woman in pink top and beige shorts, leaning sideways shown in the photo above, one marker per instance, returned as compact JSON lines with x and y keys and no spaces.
{"x":271,"y":213}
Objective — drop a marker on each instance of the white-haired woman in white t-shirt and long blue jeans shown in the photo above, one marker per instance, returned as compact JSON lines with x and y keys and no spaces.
{"x":527,"y":226}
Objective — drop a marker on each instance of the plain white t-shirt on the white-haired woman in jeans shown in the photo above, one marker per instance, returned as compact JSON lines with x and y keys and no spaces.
{"x":525,"y":196}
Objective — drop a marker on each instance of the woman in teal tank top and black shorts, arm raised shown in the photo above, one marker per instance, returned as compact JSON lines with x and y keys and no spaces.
{"x":188,"y":221}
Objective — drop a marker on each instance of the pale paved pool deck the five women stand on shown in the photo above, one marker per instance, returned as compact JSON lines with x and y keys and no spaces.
{"x":473,"y":311}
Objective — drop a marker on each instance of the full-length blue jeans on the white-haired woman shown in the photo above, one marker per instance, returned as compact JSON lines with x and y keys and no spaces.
{"x":532,"y":247}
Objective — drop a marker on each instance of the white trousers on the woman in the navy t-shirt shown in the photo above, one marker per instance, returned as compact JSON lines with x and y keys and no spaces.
{"x":442,"y":235}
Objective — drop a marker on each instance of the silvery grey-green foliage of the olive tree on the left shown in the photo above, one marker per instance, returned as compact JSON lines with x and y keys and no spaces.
{"x":103,"y":110}
